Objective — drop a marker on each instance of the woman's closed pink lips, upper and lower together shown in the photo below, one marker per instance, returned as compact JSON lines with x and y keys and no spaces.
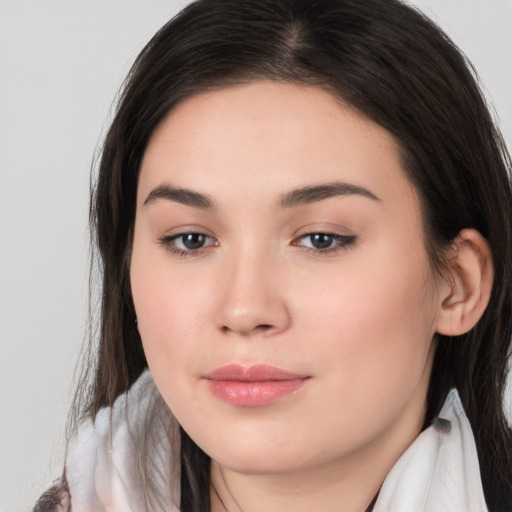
{"x":253,"y":386}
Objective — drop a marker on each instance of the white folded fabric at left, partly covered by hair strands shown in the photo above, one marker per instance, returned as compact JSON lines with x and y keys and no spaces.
{"x":105,"y":459}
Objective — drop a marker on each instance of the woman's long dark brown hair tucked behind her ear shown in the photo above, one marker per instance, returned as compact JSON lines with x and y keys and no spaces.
{"x":400,"y":70}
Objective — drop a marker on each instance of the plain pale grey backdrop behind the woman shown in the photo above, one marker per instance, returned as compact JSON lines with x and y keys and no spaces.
{"x":61,"y":63}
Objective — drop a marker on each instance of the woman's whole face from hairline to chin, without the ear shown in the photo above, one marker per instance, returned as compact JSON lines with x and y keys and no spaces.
{"x":279,"y":274}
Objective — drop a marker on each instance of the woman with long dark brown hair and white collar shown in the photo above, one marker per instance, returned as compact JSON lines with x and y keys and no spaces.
{"x":303,"y":212}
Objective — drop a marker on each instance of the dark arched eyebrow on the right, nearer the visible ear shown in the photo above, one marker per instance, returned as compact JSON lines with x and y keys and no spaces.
{"x":314,"y":193}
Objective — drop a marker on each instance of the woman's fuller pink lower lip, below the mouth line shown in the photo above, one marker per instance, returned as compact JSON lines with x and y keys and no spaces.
{"x":253,"y":394}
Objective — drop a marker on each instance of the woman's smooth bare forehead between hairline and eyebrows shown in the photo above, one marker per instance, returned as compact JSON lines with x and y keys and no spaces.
{"x":264,"y":138}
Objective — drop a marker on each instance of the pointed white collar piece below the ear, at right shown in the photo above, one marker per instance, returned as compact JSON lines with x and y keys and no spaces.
{"x":439,"y":472}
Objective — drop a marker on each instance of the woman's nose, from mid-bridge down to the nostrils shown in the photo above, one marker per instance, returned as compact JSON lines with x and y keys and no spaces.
{"x":251,"y":298}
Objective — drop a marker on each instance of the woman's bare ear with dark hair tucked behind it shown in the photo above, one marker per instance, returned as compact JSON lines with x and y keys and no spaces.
{"x":468,"y":285}
